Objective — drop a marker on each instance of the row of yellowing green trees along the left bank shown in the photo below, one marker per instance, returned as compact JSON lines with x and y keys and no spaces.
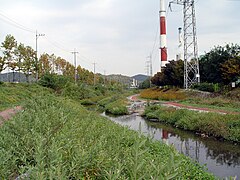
{"x":20,"y":58}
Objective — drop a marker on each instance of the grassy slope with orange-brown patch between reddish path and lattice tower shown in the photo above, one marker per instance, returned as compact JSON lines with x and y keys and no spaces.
{"x":228,"y":102}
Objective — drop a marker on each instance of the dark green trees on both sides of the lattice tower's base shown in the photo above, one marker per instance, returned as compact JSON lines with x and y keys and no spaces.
{"x":220,"y":65}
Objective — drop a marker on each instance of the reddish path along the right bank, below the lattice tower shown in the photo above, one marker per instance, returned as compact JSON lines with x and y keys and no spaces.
{"x":135,"y":98}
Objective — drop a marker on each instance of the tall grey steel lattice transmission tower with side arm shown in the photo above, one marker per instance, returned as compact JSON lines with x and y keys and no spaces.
{"x":191,"y":64}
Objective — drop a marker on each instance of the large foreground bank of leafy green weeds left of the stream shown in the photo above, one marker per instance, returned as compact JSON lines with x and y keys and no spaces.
{"x":56,"y":138}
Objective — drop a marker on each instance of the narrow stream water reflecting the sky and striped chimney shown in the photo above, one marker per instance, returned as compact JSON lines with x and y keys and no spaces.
{"x":220,"y":158}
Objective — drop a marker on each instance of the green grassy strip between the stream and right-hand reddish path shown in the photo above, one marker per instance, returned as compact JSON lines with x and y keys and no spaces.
{"x":212,"y":124}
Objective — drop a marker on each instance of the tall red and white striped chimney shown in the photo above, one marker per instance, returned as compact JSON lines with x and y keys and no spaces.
{"x":163,"y":38}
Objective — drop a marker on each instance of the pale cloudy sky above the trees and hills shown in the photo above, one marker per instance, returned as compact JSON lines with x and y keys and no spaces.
{"x":117,"y":35}
